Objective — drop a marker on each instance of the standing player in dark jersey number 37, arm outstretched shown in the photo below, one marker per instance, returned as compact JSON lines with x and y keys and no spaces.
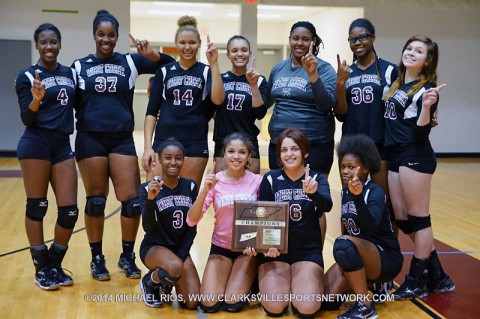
{"x":104,"y":144}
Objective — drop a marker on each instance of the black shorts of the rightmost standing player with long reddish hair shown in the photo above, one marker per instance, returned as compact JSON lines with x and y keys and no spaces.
{"x":419,"y":157}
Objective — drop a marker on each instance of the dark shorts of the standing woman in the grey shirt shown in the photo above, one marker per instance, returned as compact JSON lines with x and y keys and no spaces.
{"x":320,"y":157}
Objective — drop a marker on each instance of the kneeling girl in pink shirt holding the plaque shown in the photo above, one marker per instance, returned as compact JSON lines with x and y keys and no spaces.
{"x":227,"y":274}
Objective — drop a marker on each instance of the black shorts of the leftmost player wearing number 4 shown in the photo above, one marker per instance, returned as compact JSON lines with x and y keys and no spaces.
{"x":37,"y":143}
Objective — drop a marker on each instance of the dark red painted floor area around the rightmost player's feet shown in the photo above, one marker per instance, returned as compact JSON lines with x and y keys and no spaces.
{"x":465,"y":273}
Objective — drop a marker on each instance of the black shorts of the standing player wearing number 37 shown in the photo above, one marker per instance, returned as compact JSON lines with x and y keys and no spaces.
{"x":93,"y":144}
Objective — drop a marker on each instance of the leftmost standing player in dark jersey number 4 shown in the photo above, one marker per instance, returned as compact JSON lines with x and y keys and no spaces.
{"x":46,"y":95}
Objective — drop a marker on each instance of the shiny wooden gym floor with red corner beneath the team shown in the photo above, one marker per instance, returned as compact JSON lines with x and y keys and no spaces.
{"x":455,"y":209}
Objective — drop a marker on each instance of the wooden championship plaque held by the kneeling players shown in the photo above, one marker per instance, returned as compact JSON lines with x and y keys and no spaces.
{"x":261,"y":225}
